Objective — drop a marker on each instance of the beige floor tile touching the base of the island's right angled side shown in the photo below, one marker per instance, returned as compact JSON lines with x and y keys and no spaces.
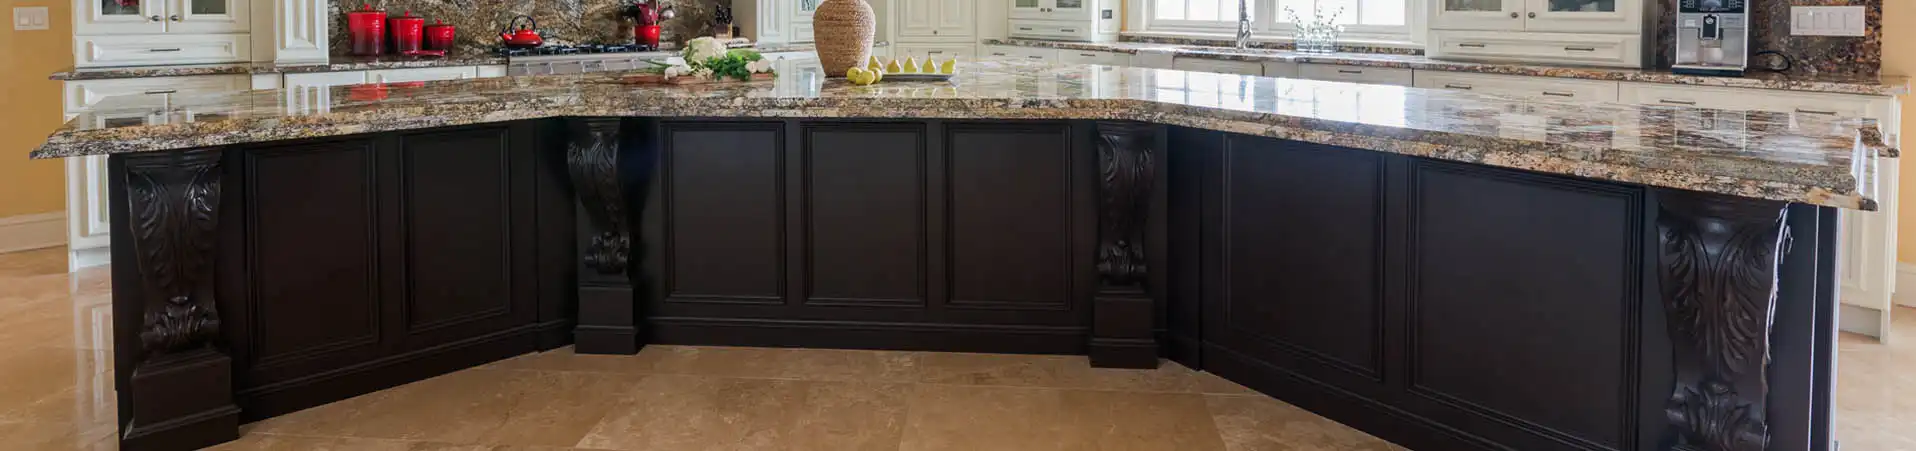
{"x":1254,"y":423}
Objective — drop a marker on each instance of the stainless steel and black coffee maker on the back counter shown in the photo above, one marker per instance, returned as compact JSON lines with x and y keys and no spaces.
{"x":1712,"y":37}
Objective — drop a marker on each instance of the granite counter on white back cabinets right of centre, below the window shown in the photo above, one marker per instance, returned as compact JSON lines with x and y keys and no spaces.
{"x":1777,"y":82}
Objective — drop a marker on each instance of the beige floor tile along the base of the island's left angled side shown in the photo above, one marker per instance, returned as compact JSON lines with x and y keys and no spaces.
{"x":499,"y":408}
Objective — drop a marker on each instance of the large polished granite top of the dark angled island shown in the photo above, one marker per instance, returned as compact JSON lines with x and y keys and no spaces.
{"x":1754,"y":154}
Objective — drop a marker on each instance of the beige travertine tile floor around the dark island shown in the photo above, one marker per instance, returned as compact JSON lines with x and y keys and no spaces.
{"x":57,"y":392}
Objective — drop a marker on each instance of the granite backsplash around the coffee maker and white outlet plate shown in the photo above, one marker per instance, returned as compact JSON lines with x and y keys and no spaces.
{"x":1833,"y":57}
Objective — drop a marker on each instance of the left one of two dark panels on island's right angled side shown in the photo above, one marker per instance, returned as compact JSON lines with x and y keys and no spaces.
{"x":1302,"y":279}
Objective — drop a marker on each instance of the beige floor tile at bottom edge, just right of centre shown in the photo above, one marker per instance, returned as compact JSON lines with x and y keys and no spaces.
{"x":988,"y":417}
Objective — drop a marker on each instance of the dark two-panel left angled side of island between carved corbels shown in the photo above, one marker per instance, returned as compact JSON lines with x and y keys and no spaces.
{"x":373,"y":262}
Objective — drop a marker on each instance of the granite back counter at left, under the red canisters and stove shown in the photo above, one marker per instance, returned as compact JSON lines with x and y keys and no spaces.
{"x":336,"y":64}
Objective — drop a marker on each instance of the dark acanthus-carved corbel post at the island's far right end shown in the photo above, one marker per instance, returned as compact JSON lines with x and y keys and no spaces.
{"x":1720,"y":268}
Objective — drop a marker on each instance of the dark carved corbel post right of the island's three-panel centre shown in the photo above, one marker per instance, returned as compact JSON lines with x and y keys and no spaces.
{"x":1124,"y":310}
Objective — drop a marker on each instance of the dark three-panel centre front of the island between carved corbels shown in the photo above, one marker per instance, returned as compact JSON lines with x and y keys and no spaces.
{"x":919,"y":235}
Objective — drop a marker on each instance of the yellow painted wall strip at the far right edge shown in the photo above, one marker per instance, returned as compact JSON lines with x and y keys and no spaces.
{"x":1900,"y":59}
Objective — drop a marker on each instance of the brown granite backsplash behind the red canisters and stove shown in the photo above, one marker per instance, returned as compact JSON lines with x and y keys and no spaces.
{"x":562,"y":22}
